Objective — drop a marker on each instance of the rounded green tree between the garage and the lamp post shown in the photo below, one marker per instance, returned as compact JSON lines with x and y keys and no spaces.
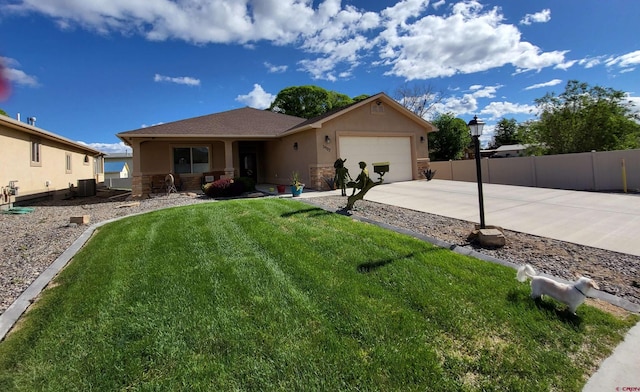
{"x":451,"y":138}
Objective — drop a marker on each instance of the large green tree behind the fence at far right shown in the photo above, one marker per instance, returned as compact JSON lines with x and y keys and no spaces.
{"x":585,"y":118}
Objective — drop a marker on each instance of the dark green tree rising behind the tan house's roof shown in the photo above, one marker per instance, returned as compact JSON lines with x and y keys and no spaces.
{"x":308,"y":101}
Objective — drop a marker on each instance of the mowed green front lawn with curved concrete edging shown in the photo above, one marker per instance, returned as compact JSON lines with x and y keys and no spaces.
{"x":275,"y":294}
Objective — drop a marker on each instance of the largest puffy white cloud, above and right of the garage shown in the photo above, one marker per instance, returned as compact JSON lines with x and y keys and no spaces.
{"x":469,"y":39}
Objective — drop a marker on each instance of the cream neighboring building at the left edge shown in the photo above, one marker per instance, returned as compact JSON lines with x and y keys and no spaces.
{"x":37,"y":163}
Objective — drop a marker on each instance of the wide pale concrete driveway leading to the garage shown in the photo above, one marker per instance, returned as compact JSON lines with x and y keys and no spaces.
{"x":602,"y":220}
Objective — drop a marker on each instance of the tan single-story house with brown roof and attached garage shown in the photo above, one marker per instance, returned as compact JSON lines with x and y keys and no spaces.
{"x":269,"y":147}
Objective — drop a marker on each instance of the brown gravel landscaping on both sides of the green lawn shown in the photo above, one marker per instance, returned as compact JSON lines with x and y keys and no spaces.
{"x":31,"y":242}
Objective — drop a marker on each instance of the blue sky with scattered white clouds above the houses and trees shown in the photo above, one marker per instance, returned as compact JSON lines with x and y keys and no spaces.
{"x":88,"y":69}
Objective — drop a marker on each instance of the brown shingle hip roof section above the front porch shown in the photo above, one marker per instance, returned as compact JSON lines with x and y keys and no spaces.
{"x":245,"y":122}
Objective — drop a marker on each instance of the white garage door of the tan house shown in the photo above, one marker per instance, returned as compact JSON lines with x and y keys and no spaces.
{"x":395,"y":150}
